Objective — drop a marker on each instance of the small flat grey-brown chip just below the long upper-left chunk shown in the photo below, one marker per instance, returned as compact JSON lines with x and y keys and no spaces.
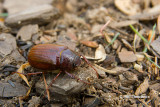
{"x":26,"y":32}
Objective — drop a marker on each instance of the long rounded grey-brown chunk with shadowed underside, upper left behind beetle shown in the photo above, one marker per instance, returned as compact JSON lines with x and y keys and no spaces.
{"x":34,"y":15}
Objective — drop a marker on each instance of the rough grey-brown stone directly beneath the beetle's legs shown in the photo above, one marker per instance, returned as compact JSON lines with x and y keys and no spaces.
{"x":65,"y":86}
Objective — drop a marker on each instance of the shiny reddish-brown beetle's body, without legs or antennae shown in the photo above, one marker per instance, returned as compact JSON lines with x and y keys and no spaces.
{"x":51,"y":56}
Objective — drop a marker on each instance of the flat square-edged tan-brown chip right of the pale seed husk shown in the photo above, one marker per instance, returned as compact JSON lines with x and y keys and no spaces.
{"x":127,"y":56}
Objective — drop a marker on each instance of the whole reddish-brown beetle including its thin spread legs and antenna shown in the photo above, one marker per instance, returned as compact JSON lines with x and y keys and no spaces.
{"x":51,"y":57}
